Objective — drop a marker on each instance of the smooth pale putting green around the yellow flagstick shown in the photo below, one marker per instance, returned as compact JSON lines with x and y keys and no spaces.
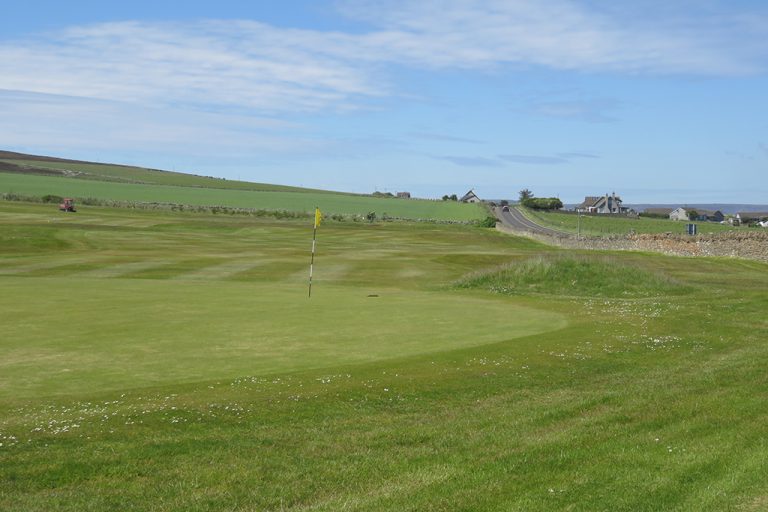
{"x":72,"y":336}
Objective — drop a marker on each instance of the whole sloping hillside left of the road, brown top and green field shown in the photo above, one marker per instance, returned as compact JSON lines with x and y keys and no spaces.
{"x":35,"y":177}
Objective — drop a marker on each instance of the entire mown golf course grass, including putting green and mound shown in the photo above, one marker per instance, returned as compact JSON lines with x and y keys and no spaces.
{"x":172,"y":361}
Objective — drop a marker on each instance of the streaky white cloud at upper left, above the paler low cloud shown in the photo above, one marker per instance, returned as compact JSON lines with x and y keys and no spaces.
{"x":231,"y":64}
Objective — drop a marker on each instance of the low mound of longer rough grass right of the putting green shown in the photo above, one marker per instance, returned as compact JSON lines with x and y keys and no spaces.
{"x":574,"y":275}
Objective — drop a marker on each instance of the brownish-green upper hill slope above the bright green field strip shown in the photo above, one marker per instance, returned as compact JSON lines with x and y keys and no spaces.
{"x":52,"y":166}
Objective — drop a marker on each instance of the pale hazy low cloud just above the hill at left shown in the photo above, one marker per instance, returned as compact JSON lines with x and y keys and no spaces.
{"x":56,"y":123}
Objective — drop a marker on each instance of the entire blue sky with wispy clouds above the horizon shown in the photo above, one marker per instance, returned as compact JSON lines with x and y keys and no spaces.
{"x":660,"y":103}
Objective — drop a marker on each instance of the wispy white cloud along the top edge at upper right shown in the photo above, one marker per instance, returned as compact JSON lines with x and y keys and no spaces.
{"x":565,"y":35}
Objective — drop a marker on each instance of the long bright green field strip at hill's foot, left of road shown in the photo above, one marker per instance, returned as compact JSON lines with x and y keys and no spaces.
{"x":329,"y":203}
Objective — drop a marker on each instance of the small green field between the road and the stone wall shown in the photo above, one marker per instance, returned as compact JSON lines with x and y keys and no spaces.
{"x":601,"y":225}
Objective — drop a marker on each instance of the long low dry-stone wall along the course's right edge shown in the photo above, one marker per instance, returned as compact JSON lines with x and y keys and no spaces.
{"x":737,"y":244}
